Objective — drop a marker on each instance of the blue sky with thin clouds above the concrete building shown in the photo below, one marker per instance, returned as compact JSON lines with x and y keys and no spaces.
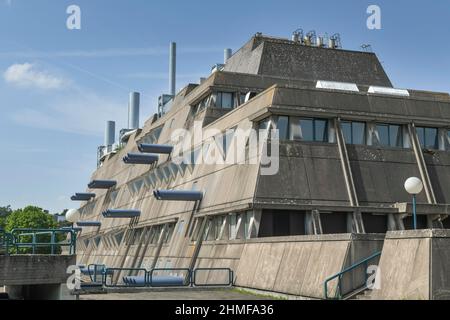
{"x":59,"y":86}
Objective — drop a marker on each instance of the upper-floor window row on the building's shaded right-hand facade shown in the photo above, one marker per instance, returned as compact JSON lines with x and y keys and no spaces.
{"x":354,"y":132}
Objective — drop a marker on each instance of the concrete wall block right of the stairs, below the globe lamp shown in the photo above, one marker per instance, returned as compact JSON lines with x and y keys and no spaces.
{"x":415,"y":265}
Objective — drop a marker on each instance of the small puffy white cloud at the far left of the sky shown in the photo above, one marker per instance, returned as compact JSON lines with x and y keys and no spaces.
{"x":27,"y":75}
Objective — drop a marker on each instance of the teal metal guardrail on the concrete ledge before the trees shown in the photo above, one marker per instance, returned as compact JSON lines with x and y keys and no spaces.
{"x":32,"y":238}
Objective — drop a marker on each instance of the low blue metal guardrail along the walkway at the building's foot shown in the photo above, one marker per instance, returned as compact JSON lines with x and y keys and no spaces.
{"x":152,"y":279}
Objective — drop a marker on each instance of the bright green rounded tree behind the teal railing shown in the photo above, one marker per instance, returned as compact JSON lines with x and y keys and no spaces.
{"x":31,"y":218}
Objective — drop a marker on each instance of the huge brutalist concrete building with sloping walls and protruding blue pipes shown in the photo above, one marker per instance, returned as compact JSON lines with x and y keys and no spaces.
{"x":348,"y":140}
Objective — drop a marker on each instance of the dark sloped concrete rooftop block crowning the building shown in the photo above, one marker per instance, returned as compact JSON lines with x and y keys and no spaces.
{"x":287,"y":59}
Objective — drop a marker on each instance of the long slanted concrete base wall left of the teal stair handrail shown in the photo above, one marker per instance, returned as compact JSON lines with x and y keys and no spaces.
{"x":292,"y":265}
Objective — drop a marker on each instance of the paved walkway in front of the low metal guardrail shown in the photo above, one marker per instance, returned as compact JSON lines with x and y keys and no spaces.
{"x":185,"y":294}
